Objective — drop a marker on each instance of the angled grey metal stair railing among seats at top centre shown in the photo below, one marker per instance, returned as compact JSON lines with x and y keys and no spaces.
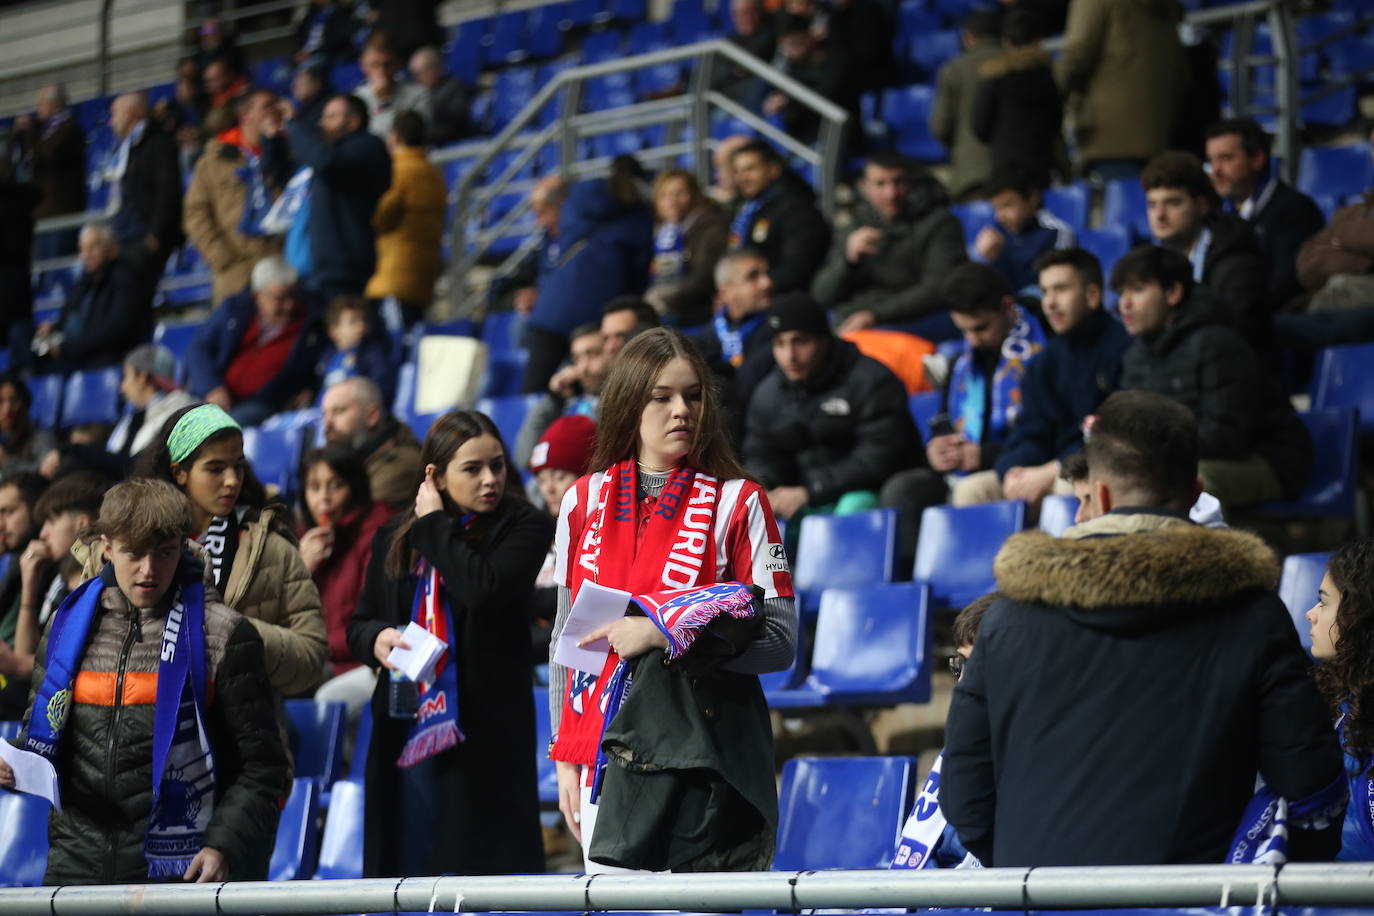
{"x":690,"y":111}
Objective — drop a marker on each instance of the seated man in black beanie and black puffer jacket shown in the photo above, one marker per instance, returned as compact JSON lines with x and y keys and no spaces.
{"x":828,"y":422}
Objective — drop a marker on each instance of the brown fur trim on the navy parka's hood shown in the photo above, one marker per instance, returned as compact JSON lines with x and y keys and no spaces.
{"x":1167,"y":566}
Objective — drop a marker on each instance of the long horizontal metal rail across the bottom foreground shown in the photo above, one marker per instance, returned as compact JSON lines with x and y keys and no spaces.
{"x":1309,"y":885}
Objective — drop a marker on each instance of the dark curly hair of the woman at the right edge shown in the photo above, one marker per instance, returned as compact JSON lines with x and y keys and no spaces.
{"x":1349,"y":678}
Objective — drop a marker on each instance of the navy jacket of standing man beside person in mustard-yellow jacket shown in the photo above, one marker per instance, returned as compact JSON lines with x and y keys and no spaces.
{"x":351,"y":176}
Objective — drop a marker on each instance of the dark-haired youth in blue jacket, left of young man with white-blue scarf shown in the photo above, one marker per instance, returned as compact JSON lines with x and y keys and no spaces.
{"x":1023,"y":231}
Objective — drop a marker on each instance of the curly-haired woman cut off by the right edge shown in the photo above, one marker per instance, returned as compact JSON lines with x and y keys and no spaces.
{"x":1343,"y":642}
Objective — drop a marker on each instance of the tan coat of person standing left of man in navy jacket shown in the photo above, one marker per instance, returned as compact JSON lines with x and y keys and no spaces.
{"x":211,"y":215}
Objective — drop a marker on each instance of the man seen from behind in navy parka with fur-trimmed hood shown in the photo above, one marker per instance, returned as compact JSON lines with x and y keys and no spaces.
{"x":1137,"y":678}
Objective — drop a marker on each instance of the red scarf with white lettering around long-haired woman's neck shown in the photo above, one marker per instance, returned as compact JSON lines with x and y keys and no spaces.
{"x":641,"y":547}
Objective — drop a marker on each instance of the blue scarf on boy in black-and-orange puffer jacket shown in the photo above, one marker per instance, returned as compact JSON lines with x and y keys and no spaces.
{"x":183,"y":768}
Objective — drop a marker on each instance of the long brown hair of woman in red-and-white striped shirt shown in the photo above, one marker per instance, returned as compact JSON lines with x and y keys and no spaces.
{"x":629,"y":387}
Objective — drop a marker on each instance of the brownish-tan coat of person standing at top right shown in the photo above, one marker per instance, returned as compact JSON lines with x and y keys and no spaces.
{"x":1125,"y":75}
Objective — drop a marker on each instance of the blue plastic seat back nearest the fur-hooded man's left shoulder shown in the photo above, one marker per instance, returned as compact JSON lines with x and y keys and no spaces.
{"x":957,"y":547}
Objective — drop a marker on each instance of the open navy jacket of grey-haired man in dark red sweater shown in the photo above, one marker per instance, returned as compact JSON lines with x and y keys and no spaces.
{"x":218,"y":341}
